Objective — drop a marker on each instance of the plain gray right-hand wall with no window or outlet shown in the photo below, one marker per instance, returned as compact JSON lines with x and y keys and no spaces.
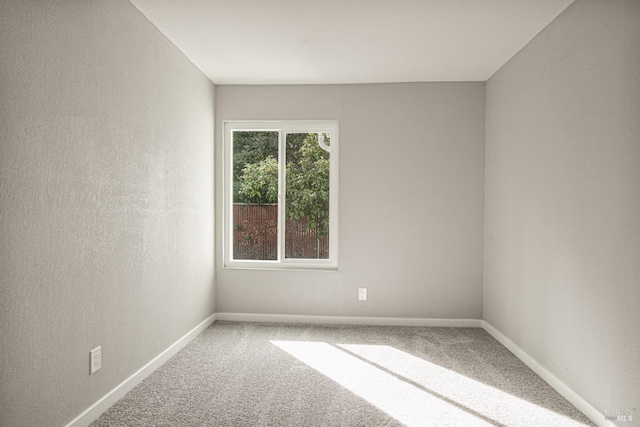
{"x":562,"y":247}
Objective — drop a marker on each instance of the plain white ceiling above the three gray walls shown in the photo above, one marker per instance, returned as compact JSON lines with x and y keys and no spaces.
{"x":349,"y":41}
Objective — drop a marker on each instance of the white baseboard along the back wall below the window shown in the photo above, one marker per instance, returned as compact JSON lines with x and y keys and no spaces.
{"x":348,"y":320}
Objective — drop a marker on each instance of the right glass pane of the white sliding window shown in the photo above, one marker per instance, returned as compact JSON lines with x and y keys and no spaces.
{"x":307,"y":195}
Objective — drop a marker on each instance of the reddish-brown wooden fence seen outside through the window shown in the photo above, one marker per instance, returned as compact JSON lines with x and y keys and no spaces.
{"x":255,"y":235}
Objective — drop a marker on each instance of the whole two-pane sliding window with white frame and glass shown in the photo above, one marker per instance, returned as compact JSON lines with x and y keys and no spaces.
{"x":281,"y":194}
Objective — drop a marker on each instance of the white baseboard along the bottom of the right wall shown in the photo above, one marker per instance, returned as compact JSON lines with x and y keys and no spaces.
{"x":592,"y":413}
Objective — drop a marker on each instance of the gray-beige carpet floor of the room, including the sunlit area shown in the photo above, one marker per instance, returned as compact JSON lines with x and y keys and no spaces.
{"x":251,"y":374}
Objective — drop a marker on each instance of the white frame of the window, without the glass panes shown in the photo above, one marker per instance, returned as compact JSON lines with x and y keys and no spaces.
{"x":283,"y":127}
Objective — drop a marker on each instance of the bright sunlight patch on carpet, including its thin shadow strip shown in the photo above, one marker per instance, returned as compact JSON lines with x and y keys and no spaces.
{"x":416,"y":392}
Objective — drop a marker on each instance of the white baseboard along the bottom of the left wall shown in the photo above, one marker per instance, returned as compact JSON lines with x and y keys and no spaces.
{"x":95,"y":410}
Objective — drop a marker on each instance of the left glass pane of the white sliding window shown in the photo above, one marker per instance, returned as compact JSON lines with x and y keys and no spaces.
{"x":255,"y":195}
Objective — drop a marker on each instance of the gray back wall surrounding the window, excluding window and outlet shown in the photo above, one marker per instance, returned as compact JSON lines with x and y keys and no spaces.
{"x":411,"y":201}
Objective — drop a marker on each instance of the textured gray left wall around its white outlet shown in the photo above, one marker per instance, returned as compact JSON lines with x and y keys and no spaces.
{"x":106,"y":202}
